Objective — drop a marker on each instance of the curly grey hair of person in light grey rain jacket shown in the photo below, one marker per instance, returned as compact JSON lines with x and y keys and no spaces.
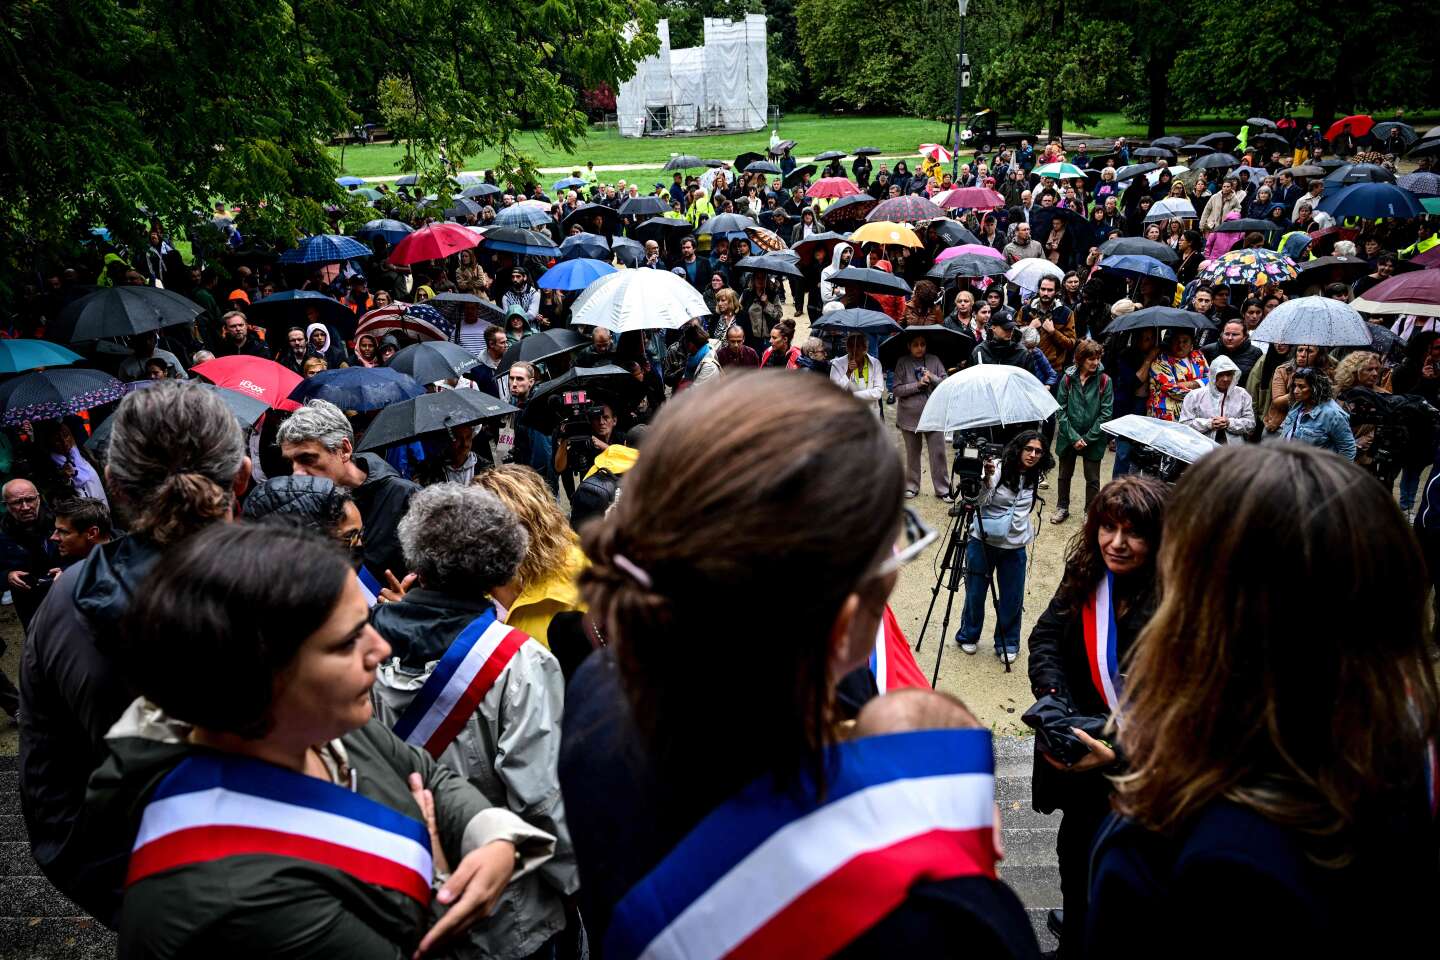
{"x":462,"y":539}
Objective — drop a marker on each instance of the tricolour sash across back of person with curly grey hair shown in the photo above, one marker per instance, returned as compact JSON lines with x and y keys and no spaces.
{"x":462,"y":680}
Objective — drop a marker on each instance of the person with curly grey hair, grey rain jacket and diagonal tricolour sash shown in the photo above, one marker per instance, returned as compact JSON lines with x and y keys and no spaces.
{"x":479,"y":696}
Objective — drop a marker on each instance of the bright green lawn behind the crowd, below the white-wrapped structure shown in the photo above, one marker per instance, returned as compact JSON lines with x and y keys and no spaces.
{"x":813,"y":133}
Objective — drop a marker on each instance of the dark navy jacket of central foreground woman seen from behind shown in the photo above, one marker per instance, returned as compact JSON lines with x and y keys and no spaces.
{"x":623,"y":827}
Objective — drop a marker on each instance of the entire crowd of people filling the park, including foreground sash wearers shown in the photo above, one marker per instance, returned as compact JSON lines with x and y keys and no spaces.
{"x":283,"y":694}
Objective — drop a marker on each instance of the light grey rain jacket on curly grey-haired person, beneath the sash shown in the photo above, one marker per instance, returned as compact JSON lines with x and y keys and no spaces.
{"x":509,"y":749}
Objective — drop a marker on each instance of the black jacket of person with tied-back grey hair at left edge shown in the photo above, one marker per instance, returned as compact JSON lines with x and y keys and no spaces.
{"x":74,"y":690}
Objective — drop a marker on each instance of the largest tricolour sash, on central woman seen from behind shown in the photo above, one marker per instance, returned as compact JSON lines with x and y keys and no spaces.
{"x":773,"y":874}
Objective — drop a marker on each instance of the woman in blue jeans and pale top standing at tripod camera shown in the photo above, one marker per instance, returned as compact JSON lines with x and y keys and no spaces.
{"x":997,"y":543}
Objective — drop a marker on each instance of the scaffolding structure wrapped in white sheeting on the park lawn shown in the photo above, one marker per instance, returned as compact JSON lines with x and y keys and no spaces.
{"x":722,"y":87}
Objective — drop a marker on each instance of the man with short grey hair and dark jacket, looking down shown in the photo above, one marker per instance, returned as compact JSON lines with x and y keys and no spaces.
{"x":319,"y":441}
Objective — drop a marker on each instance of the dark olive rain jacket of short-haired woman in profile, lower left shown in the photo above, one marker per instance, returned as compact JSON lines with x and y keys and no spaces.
{"x":271,"y":906}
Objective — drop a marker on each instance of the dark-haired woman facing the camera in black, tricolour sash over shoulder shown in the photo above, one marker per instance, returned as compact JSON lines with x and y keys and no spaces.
{"x":1076,"y":651}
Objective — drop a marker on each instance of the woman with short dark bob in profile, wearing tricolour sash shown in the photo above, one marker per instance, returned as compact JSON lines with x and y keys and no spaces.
{"x":273,"y":815}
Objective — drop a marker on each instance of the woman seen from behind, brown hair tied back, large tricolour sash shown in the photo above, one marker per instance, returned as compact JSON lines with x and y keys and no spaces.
{"x":705,"y":784}
